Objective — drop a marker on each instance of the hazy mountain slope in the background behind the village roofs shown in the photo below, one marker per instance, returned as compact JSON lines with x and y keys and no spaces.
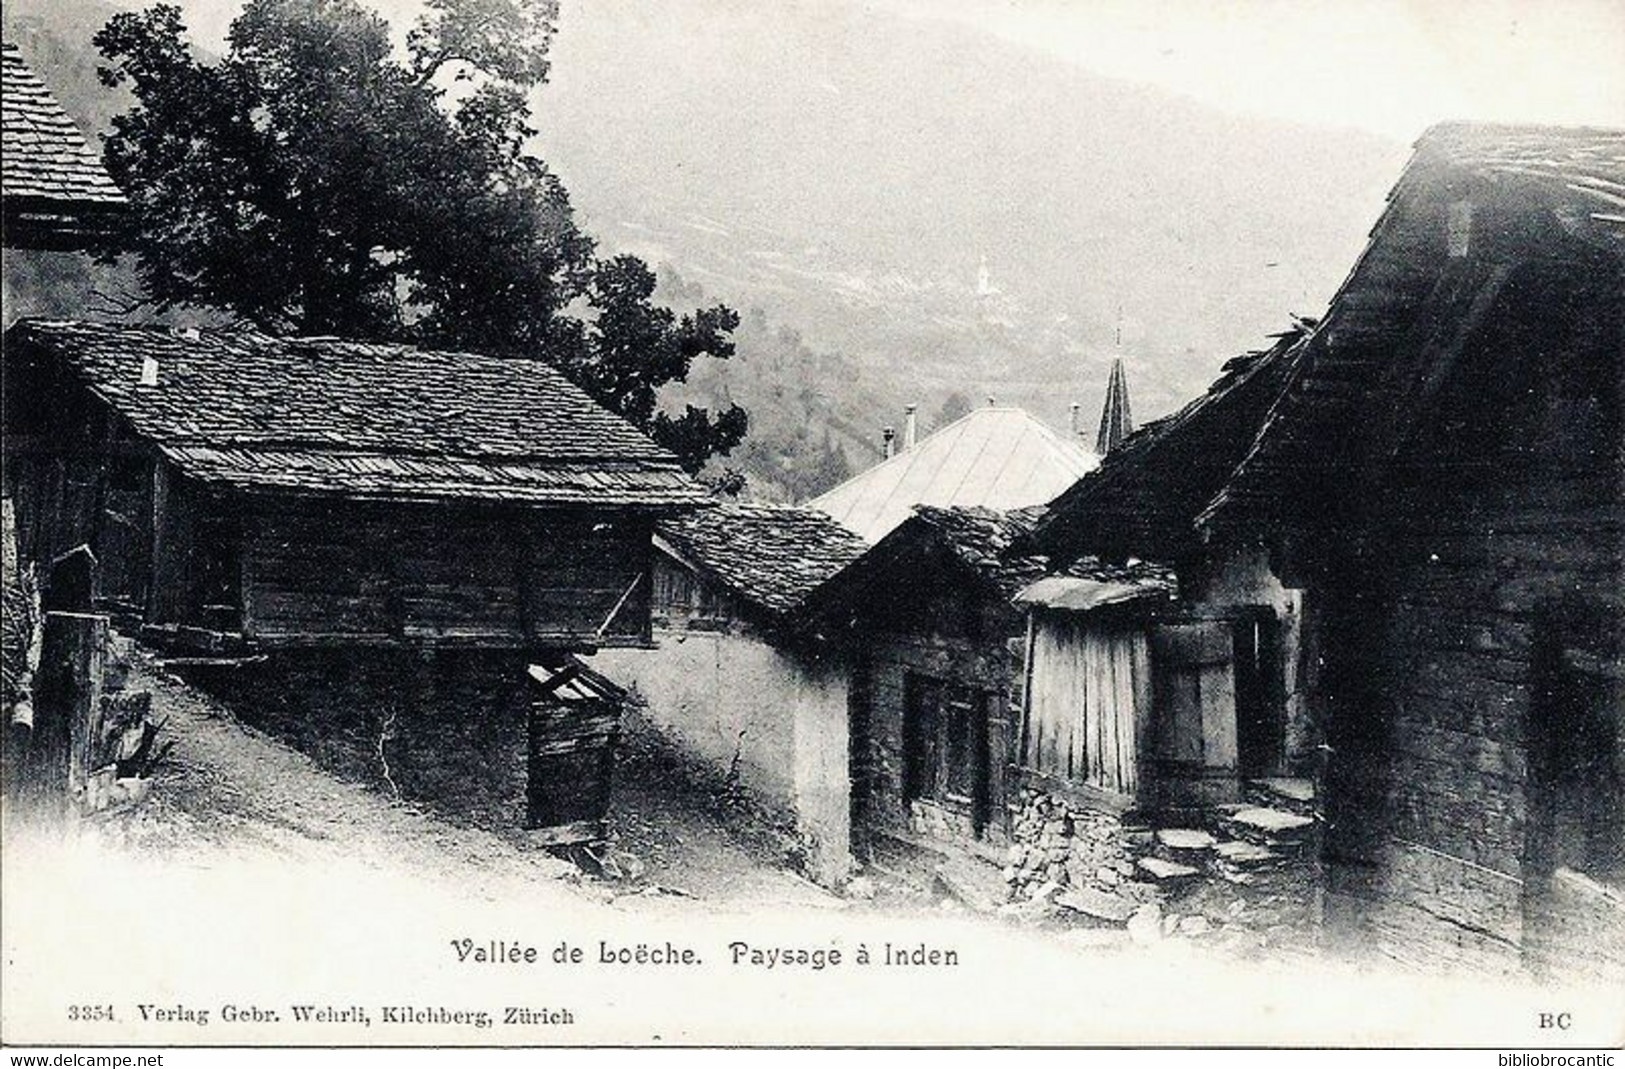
{"x":846,"y":175}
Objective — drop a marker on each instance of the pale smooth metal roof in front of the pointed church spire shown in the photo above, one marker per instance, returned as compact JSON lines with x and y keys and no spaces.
{"x":994,"y":457}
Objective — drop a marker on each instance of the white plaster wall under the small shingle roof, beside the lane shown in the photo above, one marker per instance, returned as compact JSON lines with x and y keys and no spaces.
{"x":726,"y":695}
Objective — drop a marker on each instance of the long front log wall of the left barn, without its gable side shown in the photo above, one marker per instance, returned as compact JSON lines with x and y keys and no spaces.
{"x":456,"y":574}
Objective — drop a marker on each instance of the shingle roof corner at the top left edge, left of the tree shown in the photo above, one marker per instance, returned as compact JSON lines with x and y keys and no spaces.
{"x":53,"y":184}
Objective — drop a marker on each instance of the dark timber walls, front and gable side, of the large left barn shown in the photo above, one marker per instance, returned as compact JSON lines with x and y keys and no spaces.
{"x":311,"y":569}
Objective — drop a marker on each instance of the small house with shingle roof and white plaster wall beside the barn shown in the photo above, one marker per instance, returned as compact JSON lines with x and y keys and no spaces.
{"x":730,"y":680}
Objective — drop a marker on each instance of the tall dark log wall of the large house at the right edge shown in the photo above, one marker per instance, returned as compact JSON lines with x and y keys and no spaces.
{"x":1499,"y":517}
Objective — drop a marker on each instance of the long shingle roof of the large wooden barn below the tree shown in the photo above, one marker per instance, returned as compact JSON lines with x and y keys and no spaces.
{"x":358,"y":420}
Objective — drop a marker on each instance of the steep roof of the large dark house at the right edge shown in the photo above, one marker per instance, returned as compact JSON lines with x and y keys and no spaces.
{"x":1416,"y":293}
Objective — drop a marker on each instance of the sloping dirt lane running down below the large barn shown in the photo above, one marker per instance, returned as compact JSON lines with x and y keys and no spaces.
{"x":228,"y":789}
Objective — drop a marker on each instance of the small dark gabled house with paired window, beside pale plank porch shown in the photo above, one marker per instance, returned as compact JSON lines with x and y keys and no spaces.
{"x":927,"y":623}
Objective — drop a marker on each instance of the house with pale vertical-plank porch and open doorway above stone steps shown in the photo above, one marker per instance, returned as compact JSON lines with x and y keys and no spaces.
{"x":1140,"y":699}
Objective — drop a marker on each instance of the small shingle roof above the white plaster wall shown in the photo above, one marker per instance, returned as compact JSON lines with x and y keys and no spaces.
{"x":771,"y":556}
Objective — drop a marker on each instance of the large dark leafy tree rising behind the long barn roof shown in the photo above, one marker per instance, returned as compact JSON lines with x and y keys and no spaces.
{"x":319,"y":180}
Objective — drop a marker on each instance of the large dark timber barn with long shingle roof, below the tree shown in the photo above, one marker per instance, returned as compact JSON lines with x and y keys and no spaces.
{"x":249,"y":493}
